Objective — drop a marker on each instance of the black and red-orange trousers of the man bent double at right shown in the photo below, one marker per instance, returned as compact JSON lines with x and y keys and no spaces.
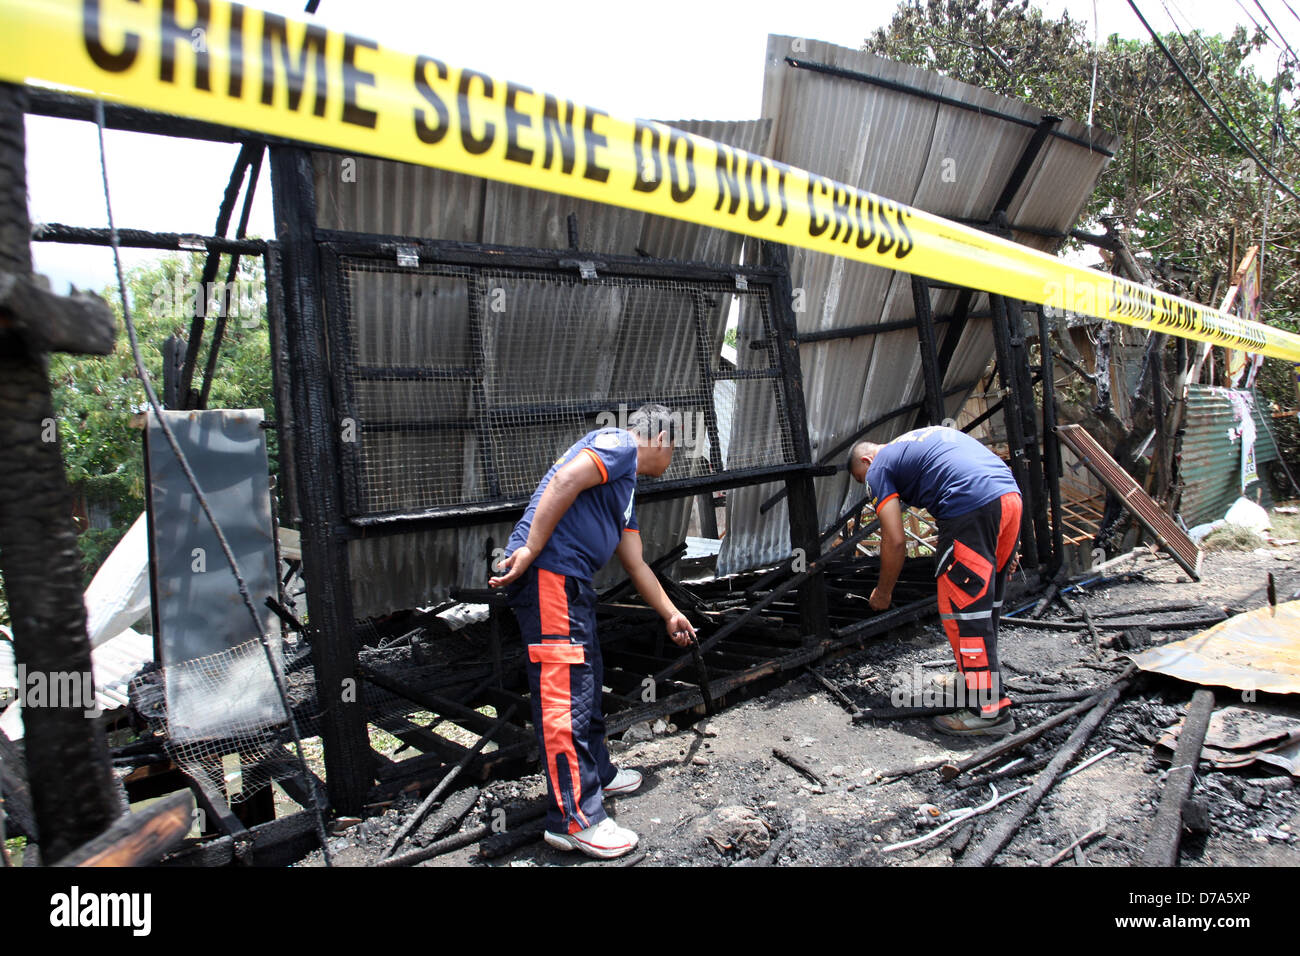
{"x":974,"y":563}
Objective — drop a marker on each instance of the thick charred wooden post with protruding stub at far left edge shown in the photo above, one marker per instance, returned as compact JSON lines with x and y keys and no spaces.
{"x":73,"y":793}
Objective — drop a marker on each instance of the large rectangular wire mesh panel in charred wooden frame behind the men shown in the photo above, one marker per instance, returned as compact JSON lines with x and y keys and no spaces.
{"x":461,"y":386}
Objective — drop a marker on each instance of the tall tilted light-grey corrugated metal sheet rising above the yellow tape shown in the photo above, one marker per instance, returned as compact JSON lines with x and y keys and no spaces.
{"x":939,"y":158}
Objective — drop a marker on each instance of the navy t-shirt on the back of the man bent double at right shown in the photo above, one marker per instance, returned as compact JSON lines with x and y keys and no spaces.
{"x":942,"y":470}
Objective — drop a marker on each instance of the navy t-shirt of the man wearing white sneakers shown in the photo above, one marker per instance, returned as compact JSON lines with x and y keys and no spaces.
{"x":591,"y":530}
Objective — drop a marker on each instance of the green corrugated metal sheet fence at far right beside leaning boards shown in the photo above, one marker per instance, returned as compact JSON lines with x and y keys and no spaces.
{"x":1210,"y":461}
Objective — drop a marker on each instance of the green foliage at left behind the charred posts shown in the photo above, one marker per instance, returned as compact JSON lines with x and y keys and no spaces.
{"x":97,"y":399}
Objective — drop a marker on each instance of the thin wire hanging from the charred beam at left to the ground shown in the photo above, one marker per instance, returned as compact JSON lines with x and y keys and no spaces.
{"x":309,"y":781}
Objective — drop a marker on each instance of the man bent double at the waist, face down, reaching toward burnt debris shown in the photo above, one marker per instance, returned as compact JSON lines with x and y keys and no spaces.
{"x":974,"y":499}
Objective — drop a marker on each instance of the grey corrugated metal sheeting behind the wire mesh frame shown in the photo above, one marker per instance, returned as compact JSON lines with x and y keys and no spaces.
{"x":369,"y":196}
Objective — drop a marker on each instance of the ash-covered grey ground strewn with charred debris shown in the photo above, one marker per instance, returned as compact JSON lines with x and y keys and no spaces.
{"x":695,"y":775}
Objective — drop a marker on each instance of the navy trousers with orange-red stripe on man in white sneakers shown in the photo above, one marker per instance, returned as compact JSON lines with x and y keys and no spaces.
{"x":557,"y":620}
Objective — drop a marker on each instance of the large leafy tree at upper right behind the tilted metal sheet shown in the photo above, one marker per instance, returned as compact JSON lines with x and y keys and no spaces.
{"x":1180,"y":187}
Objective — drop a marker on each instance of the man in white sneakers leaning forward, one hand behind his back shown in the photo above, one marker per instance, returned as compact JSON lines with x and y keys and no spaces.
{"x":582,"y":514}
